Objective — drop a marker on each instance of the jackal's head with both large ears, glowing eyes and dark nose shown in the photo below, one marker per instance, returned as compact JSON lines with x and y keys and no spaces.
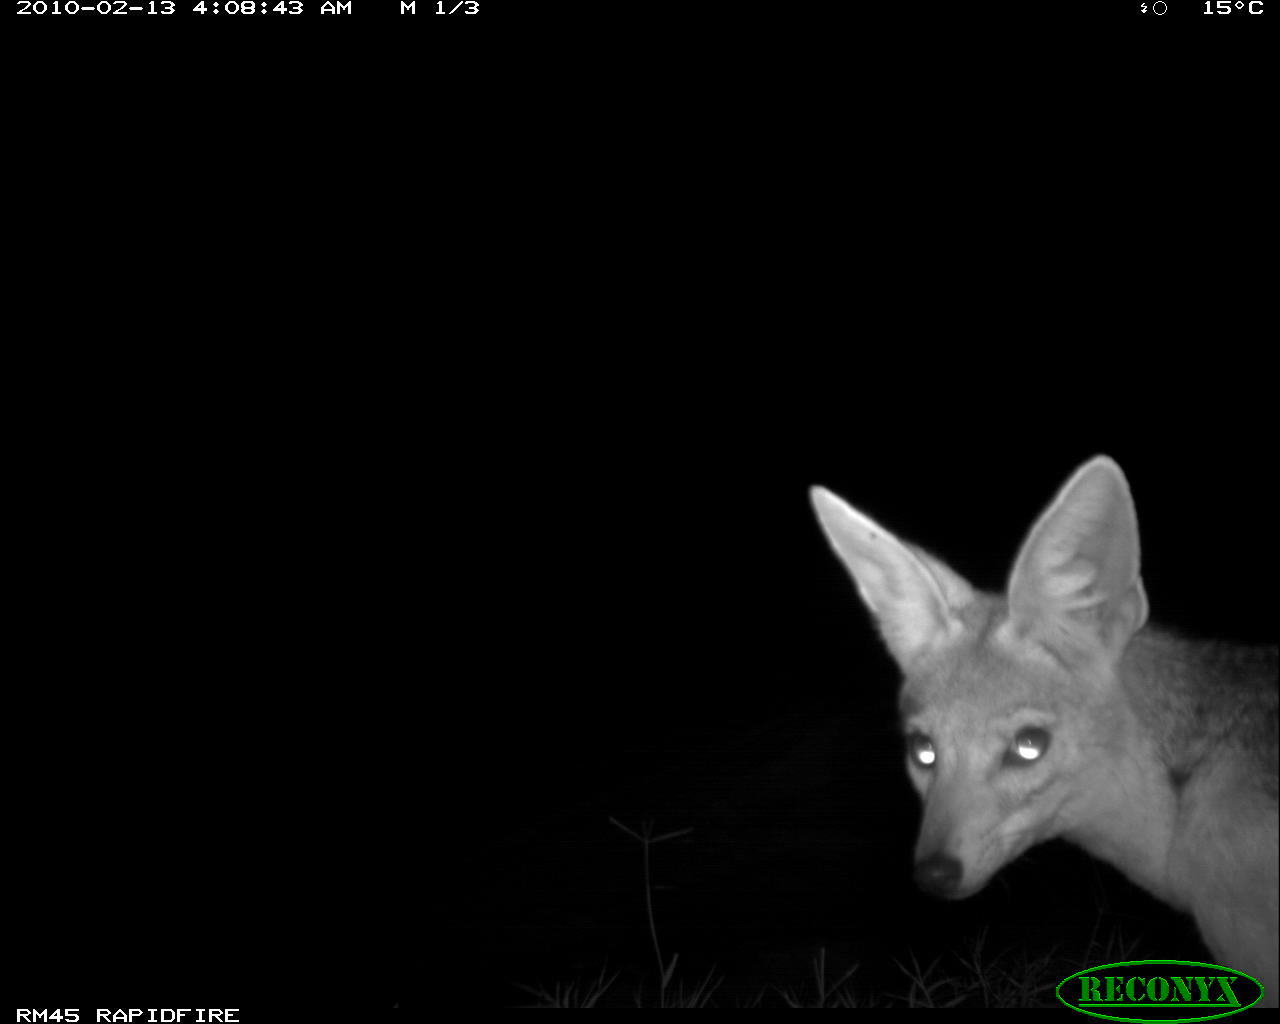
{"x":1004,"y":698}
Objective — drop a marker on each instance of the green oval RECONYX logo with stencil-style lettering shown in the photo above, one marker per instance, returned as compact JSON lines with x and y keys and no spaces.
{"x":1159,"y":990}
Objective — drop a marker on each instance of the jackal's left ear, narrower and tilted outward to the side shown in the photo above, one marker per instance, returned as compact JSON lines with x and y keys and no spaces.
{"x":913,"y":596}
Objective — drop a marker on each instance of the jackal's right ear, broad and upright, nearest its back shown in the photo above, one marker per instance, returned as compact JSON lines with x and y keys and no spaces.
{"x":1077,"y":578}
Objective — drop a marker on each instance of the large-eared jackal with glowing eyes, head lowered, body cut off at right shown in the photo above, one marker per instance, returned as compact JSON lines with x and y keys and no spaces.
{"x":1057,"y":711}
